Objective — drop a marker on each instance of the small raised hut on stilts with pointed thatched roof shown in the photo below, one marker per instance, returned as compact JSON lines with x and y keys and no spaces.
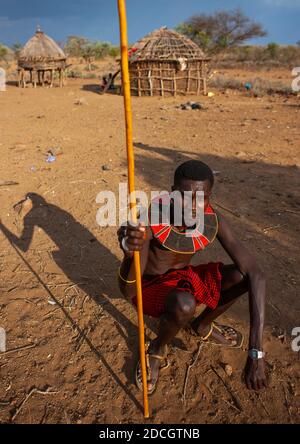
{"x":41,"y":55}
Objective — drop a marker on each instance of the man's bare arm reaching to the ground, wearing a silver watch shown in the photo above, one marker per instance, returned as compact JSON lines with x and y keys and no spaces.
{"x":246,"y":263}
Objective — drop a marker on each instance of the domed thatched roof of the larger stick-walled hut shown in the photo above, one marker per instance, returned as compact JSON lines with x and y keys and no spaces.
{"x":166,"y":44}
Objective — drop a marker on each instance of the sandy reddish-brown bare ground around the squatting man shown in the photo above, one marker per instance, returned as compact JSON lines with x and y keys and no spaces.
{"x":59,"y":302}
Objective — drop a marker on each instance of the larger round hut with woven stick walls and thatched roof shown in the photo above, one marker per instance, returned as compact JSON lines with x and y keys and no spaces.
{"x":167,"y":63}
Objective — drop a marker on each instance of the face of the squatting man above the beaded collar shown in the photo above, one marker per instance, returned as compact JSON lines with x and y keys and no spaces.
{"x":192,"y":186}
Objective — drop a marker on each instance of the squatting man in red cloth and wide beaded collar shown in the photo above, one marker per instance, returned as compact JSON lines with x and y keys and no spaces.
{"x":172,"y":288}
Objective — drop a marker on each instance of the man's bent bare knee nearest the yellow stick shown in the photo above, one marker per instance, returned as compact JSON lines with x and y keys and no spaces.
{"x":181,"y":306}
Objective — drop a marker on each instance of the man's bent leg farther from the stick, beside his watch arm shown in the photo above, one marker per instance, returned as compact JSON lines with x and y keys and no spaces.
{"x":234,"y":285}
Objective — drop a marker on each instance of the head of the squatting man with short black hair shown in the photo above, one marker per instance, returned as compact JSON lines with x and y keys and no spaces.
{"x":194,"y":176}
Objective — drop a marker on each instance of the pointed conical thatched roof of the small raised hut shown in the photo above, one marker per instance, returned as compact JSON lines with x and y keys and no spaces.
{"x":41,"y":48}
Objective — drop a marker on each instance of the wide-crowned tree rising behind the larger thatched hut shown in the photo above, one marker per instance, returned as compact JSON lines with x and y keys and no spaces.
{"x":222,"y":30}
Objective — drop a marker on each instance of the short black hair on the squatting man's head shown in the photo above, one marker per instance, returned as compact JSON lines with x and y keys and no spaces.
{"x":194,"y":170}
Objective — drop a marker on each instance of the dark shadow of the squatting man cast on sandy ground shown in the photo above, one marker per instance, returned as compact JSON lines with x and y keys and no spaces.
{"x":83,"y":259}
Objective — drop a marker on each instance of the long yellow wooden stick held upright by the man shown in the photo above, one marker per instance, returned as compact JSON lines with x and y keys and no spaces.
{"x":130,"y":163}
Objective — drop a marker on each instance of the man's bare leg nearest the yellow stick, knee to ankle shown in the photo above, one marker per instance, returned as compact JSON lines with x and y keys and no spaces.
{"x":180,"y":309}
